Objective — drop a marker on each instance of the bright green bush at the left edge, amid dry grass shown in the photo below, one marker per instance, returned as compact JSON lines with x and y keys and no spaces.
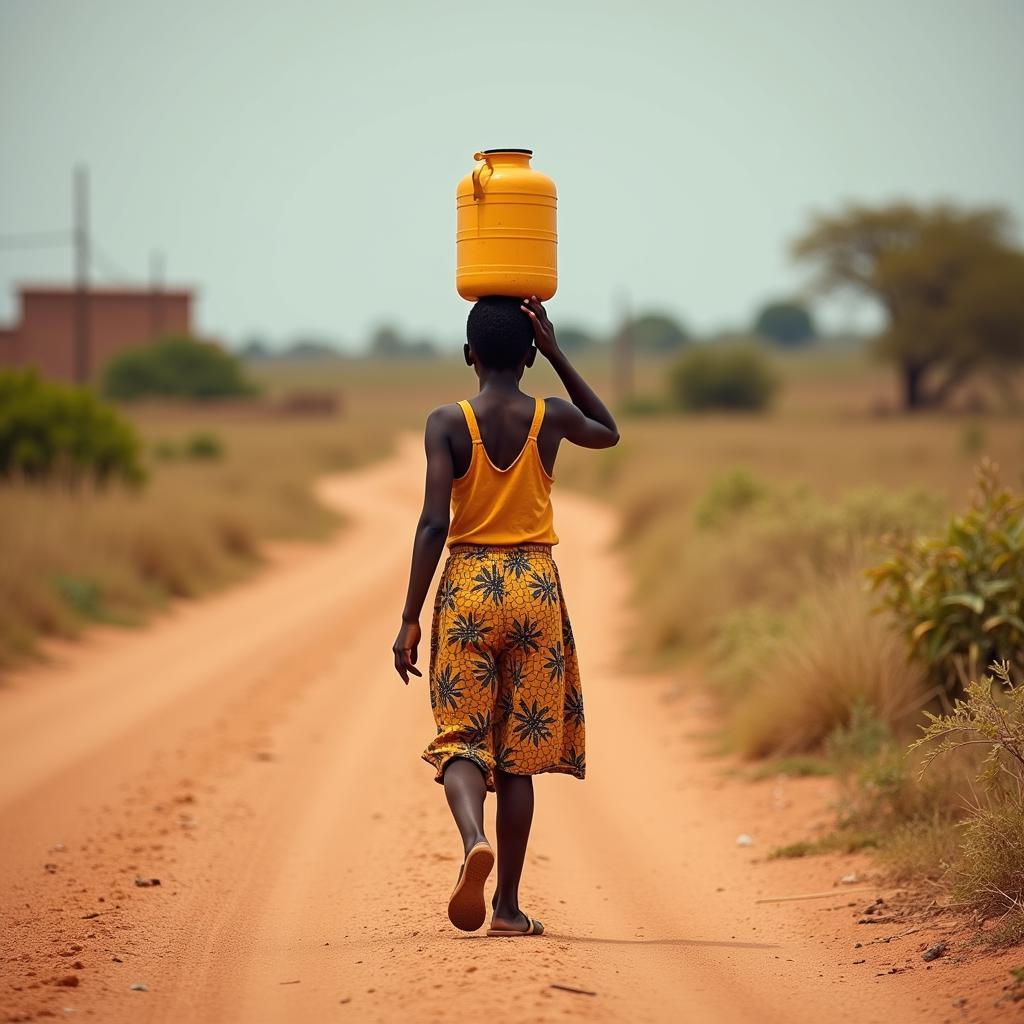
{"x":58,"y":432}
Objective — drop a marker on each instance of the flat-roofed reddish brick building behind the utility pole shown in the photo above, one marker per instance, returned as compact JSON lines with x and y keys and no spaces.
{"x":46,"y":333}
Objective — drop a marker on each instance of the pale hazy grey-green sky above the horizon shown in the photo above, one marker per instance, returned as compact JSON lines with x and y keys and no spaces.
{"x":297,"y":161}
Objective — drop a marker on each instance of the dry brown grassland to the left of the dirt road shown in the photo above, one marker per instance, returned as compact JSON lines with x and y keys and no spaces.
{"x":238,"y":479}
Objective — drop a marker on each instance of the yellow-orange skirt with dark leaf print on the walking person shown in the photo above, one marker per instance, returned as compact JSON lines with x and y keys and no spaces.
{"x":504,"y":678}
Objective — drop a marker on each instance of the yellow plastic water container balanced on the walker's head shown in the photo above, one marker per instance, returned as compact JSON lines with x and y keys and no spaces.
{"x":506,"y":234}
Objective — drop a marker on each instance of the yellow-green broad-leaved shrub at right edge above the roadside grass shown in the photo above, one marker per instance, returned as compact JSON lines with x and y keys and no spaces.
{"x":959,"y":598}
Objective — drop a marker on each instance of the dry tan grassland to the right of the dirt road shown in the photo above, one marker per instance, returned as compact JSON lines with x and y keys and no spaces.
{"x":748,"y":537}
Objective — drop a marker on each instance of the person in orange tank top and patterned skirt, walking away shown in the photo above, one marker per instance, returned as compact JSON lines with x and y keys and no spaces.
{"x":504,"y":680}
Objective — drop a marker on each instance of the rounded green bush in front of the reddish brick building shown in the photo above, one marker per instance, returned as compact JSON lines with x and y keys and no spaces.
{"x":177,"y":367}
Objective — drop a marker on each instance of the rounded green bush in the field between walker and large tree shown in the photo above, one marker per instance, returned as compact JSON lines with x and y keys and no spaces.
{"x":710,"y":377}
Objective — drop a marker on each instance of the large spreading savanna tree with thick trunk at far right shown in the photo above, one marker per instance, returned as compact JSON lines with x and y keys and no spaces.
{"x":951,"y":282}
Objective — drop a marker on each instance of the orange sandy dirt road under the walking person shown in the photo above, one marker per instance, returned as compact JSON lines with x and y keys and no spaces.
{"x":257,"y":753}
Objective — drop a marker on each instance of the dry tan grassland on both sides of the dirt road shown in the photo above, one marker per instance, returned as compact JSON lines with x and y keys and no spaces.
{"x":746,"y":536}
